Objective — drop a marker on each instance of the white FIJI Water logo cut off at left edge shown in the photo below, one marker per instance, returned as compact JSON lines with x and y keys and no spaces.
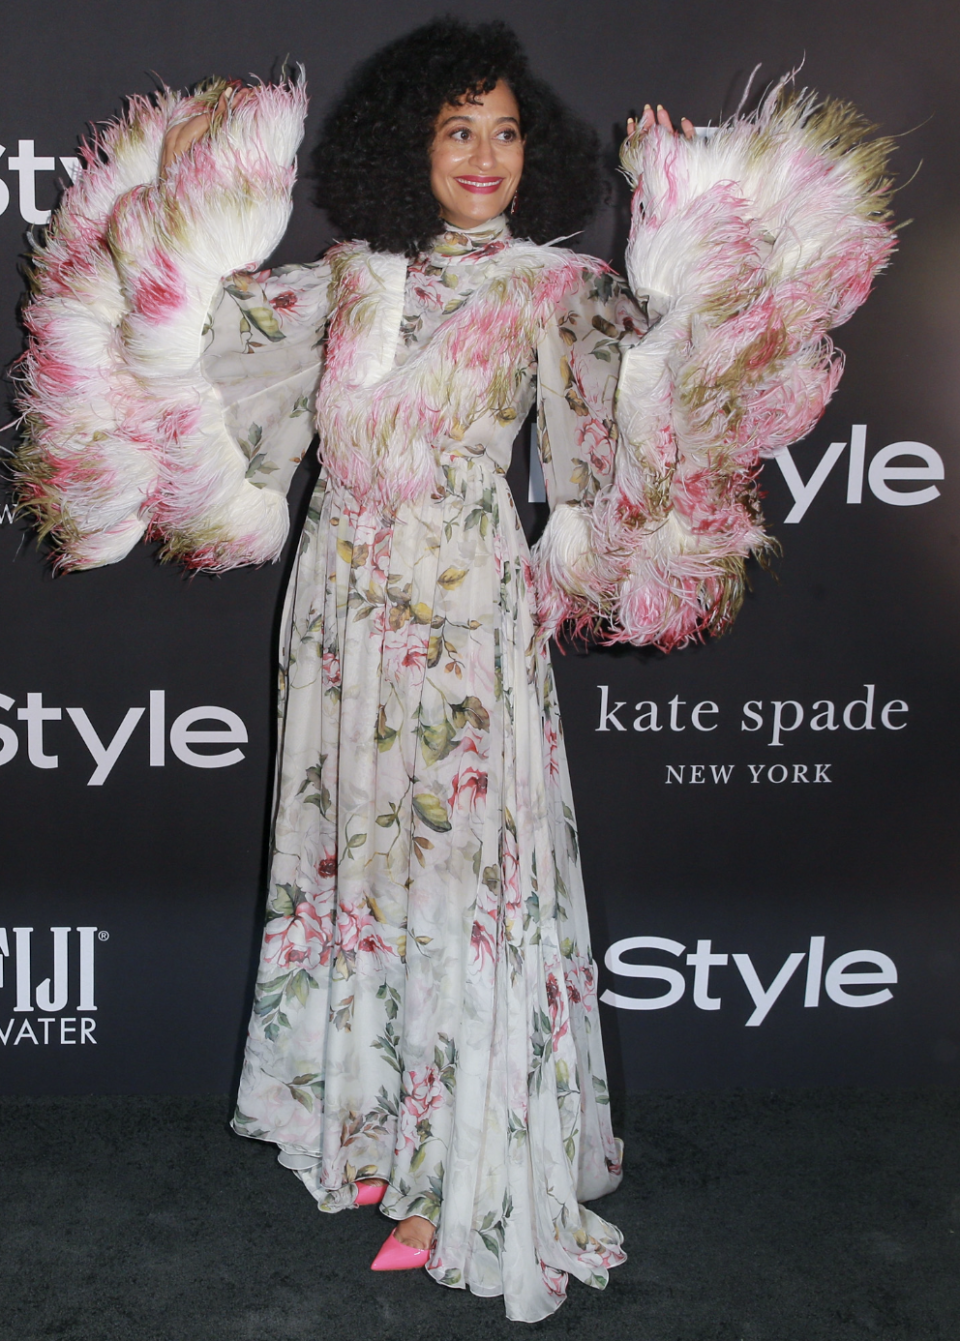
{"x":58,"y":1009}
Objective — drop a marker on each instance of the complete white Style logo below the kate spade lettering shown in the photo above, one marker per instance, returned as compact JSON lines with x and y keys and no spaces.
{"x":843,"y":981}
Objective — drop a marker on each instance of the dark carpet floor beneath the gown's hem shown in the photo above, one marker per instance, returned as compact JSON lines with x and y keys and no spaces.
{"x":829,"y":1216}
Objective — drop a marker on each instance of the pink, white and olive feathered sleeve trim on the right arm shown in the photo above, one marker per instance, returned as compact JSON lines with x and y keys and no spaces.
{"x":752,"y":245}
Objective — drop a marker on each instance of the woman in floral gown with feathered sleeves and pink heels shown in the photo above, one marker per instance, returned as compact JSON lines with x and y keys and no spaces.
{"x":426,"y":1028}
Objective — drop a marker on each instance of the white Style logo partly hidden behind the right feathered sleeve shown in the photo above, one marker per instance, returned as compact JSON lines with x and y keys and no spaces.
{"x":899,"y":463}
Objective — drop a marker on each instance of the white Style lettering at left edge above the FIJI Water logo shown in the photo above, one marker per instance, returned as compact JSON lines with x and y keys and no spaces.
{"x":183,"y":737}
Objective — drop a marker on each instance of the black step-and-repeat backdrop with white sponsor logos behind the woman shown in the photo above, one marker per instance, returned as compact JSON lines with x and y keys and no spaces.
{"x":769,"y":823}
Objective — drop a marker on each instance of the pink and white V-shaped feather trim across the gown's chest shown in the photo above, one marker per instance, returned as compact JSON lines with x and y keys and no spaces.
{"x":380,"y":426}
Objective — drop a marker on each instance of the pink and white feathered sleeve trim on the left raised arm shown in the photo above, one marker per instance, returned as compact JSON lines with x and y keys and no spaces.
{"x":124,"y":436}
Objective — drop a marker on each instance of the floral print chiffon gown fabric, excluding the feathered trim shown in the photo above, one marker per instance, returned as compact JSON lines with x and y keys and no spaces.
{"x":426,"y":1010}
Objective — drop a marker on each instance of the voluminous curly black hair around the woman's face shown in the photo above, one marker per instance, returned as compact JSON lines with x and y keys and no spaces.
{"x":372,"y":163}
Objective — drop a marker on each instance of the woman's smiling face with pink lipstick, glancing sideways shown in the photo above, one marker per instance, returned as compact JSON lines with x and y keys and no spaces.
{"x":477,"y":158}
